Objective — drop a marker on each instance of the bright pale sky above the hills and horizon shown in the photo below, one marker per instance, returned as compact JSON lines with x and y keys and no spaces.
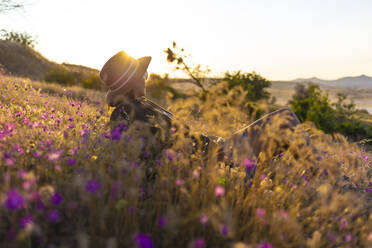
{"x":279,"y":39}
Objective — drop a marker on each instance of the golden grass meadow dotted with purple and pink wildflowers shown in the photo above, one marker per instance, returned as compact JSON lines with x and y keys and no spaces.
{"x":68,"y":181}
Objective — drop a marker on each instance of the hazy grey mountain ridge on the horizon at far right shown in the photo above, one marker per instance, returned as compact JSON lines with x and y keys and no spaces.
{"x":361,"y":81}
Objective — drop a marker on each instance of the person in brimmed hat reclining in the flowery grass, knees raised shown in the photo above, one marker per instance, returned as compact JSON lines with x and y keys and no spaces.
{"x":125,"y":78}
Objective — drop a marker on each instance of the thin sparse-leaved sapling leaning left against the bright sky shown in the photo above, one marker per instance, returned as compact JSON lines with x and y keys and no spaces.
{"x":177,"y":56}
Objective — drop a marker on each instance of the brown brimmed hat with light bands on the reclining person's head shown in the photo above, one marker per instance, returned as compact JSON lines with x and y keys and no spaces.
{"x":120,"y":74}
